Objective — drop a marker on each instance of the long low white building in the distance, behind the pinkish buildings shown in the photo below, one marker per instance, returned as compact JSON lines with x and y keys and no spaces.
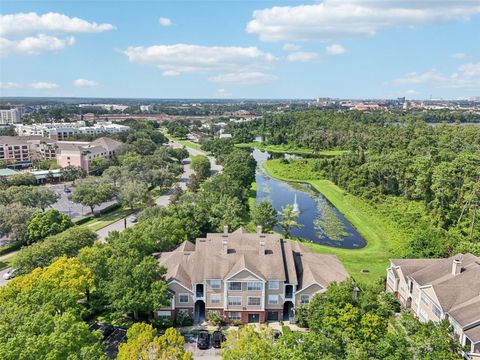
{"x":63,"y":131}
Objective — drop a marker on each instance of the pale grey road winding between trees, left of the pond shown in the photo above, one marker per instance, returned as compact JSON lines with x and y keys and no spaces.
{"x":163,"y":200}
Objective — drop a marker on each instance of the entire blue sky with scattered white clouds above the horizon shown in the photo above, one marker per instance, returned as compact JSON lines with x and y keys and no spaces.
{"x":241,"y":49}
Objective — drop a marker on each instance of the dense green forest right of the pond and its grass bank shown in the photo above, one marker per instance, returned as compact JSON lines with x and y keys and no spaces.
{"x":436,"y":167}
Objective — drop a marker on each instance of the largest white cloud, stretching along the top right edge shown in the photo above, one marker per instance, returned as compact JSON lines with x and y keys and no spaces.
{"x":334,"y":19}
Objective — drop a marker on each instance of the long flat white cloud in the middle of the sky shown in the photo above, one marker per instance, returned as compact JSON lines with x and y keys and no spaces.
{"x":225,"y":62}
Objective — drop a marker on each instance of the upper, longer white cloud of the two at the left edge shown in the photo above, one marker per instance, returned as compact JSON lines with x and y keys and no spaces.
{"x":32,"y":23}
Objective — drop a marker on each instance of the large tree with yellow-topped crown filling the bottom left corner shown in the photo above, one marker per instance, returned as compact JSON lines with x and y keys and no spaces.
{"x":43,"y":319}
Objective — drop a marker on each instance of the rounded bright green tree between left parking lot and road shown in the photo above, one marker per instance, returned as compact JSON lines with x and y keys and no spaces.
{"x":47,"y":223}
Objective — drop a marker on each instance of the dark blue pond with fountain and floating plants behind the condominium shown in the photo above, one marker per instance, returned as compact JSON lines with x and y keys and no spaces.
{"x":321,"y":222}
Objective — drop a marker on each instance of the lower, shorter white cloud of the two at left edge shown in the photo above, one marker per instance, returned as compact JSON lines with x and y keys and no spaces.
{"x":34,"y":45}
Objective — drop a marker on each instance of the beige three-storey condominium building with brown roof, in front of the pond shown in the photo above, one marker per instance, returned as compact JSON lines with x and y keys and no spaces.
{"x":243,"y":276}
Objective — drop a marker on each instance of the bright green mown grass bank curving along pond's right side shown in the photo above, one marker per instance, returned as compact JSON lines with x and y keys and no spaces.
{"x":383,"y":238}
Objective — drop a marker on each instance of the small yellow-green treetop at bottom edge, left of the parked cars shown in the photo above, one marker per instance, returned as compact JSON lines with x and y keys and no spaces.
{"x":144,"y":344}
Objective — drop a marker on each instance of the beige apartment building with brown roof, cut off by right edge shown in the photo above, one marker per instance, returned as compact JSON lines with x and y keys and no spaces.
{"x":436,"y":289}
